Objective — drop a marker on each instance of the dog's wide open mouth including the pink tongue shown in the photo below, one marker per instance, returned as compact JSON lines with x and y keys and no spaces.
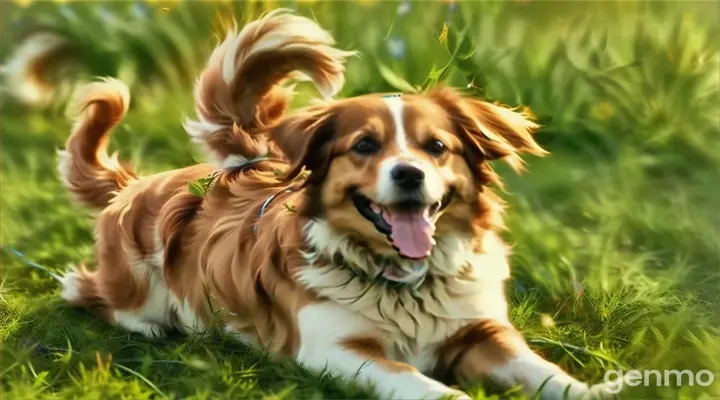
{"x":409,"y":226}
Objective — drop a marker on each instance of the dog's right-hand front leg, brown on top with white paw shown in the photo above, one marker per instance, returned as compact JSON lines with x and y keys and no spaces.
{"x":495,"y":350}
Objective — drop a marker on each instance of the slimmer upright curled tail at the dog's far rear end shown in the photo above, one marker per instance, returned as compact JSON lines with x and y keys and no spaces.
{"x":87,"y":171}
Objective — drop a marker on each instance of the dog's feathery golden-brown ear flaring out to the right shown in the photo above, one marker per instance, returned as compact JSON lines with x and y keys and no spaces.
{"x":490,"y":132}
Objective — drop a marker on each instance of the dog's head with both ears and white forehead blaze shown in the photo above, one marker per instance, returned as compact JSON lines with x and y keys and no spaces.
{"x":394,"y":172}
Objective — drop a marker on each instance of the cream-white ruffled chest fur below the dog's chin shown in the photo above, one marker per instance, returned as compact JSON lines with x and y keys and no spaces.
{"x":413,"y":322}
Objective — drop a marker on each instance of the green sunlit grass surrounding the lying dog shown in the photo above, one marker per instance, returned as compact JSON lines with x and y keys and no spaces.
{"x":616,"y":234}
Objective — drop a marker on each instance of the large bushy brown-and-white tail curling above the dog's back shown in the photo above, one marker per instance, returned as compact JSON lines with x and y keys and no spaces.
{"x":241,"y":89}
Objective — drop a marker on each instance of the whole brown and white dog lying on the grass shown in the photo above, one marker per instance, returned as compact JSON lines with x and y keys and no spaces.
{"x":356,"y":234}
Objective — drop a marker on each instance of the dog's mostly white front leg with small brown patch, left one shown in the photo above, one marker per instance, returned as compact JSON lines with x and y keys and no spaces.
{"x":349,"y":346}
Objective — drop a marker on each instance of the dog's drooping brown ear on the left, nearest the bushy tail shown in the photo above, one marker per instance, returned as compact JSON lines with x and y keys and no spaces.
{"x":305,"y":138}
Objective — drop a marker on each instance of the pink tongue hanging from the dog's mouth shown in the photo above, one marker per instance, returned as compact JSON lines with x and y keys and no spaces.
{"x":412,"y":233}
